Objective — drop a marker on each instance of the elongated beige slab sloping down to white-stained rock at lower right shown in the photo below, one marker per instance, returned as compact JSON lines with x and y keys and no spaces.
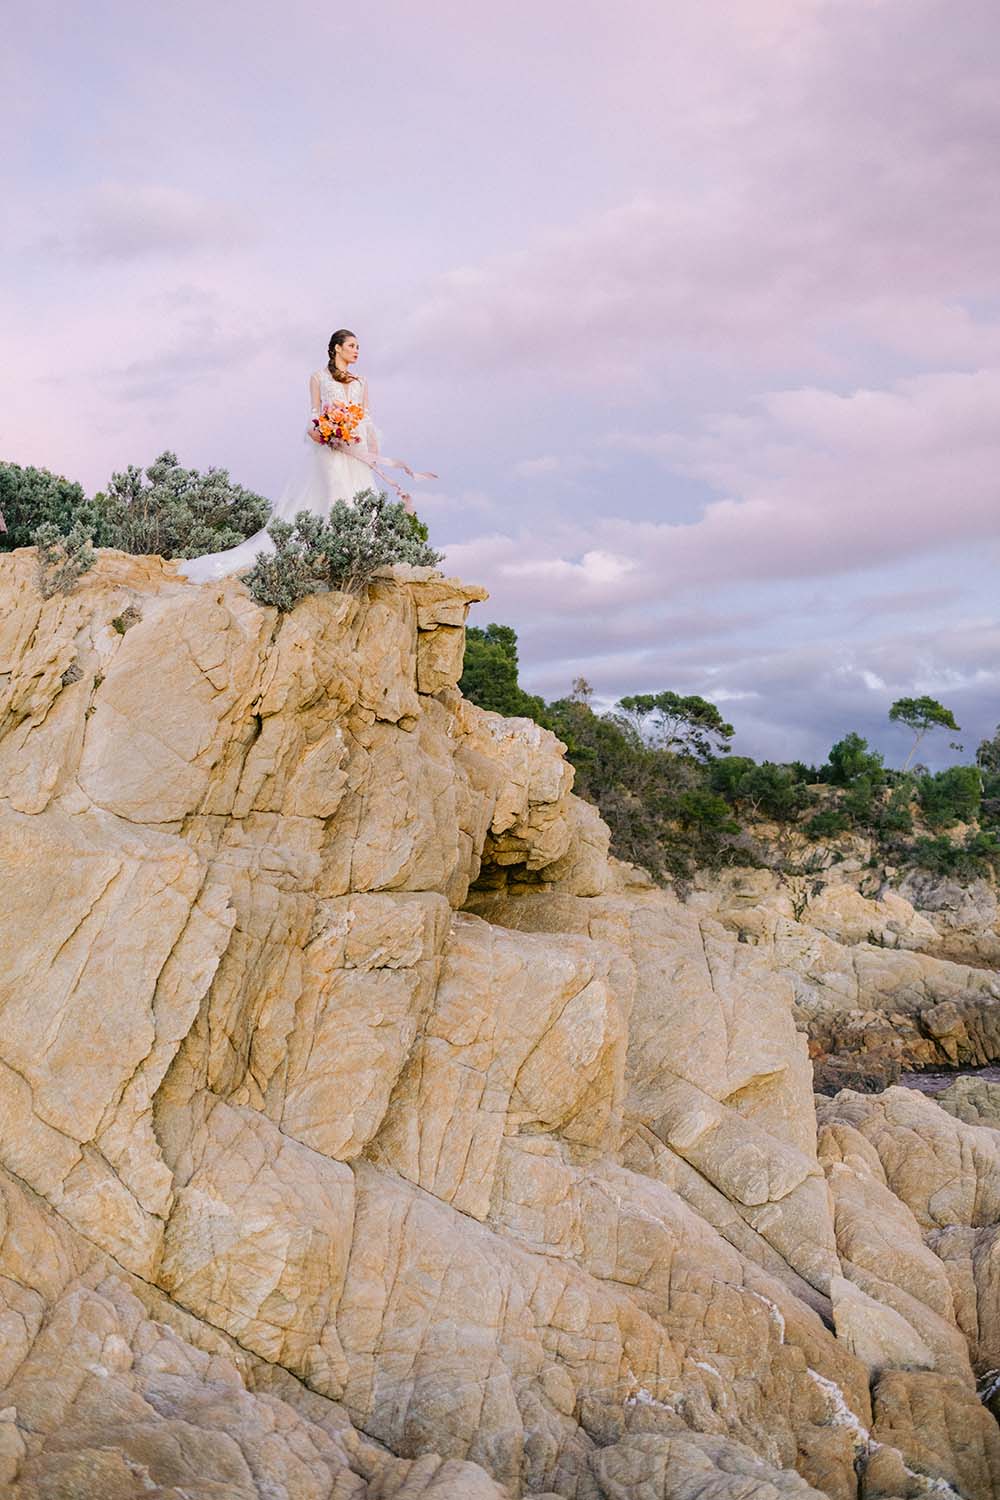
{"x":744,"y":1337}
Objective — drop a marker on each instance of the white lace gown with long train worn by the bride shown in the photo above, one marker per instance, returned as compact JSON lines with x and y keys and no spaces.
{"x":326,"y":476}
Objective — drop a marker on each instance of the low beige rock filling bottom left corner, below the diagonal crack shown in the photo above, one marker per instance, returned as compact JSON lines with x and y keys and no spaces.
{"x":112,"y":1403}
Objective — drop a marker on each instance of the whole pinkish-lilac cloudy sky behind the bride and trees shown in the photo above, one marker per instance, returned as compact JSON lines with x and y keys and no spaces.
{"x":693,"y":307}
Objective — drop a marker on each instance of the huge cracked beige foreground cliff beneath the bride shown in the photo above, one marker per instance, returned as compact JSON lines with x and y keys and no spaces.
{"x":367,"y":1133}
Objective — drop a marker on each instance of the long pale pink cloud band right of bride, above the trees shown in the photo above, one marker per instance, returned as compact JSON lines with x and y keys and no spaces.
{"x":819,"y":485}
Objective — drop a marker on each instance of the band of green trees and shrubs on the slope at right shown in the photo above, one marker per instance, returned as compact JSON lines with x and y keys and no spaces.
{"x":660,"y":772}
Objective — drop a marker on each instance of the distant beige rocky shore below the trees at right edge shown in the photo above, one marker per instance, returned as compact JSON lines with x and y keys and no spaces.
{"x":884,"y":977}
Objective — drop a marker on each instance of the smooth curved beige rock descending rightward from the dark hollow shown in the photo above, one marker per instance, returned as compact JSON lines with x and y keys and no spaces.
{"x":716,"y":1069}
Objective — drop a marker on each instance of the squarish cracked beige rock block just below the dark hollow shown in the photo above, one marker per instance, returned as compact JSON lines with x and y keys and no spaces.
{"x":525,"y":1034}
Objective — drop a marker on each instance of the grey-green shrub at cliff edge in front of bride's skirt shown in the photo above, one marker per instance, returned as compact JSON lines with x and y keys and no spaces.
{"x":343,"y":553}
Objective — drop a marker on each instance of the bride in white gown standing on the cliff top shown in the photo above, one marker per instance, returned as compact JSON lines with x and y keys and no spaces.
{"x":329,"y":475}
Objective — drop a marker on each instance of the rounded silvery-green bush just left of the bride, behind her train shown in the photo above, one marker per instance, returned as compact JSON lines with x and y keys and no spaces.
{"x":176,"y":512}
